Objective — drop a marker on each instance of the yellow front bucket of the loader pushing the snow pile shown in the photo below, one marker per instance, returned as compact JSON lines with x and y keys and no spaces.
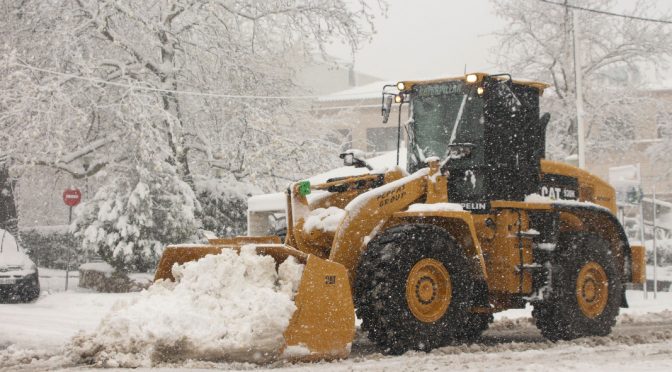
{"x":323,"y":325}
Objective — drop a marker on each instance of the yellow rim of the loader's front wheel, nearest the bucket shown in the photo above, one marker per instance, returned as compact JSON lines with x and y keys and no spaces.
{"x":428,"y":290}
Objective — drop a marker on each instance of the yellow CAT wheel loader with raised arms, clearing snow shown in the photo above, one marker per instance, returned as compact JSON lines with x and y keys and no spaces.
{"x":478,"y":222}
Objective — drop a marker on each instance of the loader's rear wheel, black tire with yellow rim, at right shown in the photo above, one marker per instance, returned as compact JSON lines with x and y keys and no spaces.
{"x":572,"y":311}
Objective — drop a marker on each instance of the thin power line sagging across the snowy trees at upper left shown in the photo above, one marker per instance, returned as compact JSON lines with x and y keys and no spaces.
{"x":152,"y":89}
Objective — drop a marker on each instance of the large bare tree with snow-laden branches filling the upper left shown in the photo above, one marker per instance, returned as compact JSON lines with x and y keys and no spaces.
{"x":110,"y":51}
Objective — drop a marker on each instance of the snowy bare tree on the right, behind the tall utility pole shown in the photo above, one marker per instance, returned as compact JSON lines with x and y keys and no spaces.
{"x":537,"y":44}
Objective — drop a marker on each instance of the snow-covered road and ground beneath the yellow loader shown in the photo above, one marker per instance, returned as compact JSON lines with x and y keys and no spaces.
{"x":33,"y":337}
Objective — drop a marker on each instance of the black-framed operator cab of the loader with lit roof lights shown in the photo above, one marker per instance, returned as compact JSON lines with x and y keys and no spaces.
{"x":485,"y":129}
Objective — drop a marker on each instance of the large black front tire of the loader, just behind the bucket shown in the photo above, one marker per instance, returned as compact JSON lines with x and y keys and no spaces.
{"x":381,"y":290}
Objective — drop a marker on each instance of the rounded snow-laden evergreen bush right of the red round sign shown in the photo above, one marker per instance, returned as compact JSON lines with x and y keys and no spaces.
{"x":129,"y":220}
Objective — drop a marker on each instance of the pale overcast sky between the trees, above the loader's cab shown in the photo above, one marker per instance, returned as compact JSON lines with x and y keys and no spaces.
{"x":436,"y":38}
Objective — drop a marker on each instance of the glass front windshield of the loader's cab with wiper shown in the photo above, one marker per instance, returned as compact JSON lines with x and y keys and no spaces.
{"x":442,"y":115}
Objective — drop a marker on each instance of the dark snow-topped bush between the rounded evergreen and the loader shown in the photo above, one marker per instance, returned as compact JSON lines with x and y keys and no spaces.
{"x":224,"y":205}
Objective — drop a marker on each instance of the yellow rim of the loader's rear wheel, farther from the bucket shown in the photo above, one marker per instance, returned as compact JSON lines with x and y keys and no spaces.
{"x":592,"y":289}
